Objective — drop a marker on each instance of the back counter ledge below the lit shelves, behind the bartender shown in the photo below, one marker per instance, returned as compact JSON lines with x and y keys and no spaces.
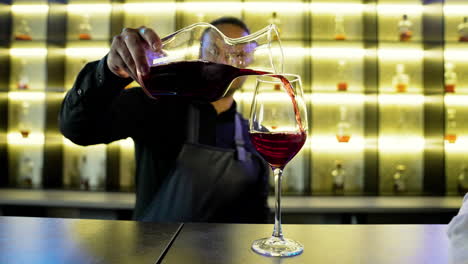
{"x":303,"y":204}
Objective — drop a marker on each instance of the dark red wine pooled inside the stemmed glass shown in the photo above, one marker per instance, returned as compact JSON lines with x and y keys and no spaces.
{"x":278,"y":148}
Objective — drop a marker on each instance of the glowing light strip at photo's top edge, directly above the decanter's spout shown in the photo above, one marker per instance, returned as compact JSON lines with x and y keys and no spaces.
{"x":283,"y":7}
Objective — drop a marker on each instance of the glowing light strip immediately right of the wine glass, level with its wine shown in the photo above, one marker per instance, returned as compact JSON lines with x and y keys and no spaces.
{"x":329,"y":143}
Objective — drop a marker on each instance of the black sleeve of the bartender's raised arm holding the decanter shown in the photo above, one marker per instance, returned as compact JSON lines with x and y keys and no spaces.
{"x":98,"y":109}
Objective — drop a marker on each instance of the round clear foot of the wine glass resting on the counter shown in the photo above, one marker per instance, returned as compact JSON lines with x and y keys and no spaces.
{"x":277,"y":247}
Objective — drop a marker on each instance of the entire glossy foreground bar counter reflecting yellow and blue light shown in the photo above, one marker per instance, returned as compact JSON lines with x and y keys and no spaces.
{"x":54,"y":240}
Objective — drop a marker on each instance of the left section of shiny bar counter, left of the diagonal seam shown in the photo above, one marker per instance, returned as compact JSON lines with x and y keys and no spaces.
{"x":53,"y":240}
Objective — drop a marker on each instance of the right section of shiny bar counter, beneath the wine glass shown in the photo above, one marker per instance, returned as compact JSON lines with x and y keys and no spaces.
{"x":324,"y":244}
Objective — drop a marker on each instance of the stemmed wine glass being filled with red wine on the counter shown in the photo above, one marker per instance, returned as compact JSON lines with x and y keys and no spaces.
{"x":278,"y":130}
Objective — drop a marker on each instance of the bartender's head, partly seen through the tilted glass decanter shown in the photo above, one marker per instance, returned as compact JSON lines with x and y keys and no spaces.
{"x":215,"y":49}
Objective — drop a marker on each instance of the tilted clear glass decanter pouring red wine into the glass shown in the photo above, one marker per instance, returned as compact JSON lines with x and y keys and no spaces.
{"x":199,"y":62}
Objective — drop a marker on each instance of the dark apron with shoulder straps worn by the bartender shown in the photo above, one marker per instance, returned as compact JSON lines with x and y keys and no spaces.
{"x":211,"y":184}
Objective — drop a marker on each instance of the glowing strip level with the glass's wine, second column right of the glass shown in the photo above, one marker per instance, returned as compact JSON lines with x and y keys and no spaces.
{"x":401,"y":143}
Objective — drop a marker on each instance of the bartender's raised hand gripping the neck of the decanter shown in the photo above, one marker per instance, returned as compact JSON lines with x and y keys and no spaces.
{"x":127,"y":57}
